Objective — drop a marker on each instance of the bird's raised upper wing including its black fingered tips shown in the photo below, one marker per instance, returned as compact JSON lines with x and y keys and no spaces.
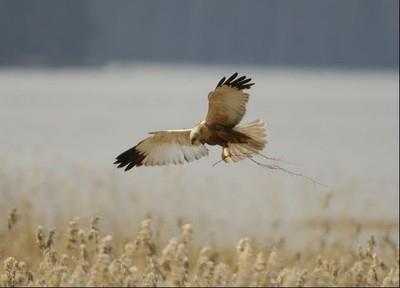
{"x":227,"y":103}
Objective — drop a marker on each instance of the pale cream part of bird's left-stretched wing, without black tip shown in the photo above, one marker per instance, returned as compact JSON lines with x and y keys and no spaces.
{"x":170,"y":147}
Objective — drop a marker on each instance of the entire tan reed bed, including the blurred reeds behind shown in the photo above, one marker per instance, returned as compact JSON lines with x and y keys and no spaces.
{"x":118,"y":250}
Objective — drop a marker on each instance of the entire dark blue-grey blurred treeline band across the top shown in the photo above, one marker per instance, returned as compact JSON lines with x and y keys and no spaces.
{"x":351,"y":33}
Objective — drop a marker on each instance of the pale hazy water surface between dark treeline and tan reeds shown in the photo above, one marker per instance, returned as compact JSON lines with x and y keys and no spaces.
{"x":340,"y":126}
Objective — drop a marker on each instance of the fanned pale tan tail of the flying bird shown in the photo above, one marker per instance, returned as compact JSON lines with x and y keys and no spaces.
{"x":254,"y":144}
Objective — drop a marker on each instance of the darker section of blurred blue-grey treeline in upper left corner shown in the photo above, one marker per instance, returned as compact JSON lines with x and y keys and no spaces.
{"x":45,"y":32}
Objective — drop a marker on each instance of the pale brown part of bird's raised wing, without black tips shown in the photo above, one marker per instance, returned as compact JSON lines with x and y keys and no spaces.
{"x":226,"y":106}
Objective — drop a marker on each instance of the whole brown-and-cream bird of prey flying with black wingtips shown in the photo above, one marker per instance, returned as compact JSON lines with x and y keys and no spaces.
{"x":226,"y":108}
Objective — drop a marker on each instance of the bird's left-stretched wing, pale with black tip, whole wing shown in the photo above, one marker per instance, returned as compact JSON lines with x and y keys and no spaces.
{"x":162,"y":148}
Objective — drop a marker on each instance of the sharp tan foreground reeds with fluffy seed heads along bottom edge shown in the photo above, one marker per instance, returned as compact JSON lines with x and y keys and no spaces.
{"x":84,"y":255}
